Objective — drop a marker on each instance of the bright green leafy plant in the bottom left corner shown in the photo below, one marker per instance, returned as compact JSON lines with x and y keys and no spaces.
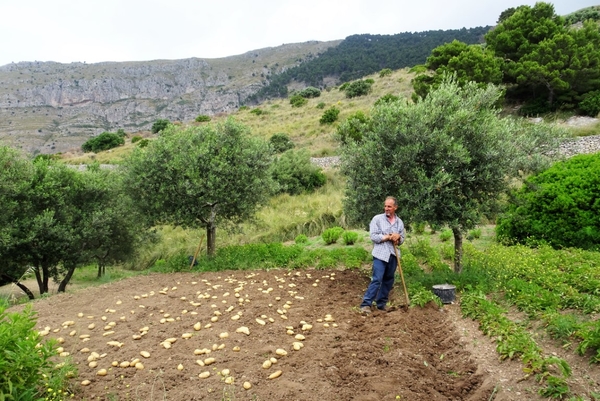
{"x":26,"y":366}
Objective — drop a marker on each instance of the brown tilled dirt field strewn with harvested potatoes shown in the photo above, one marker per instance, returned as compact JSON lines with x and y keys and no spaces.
{"x":415,"y":354}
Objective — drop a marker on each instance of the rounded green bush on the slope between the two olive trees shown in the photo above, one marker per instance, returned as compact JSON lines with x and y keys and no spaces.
{"x":294,"y":173}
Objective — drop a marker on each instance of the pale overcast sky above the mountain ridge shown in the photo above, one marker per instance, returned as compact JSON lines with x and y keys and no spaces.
{"x":136,"y":30}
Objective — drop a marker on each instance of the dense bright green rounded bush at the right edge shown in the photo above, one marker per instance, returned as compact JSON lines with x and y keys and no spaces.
{"x":558,"y":206}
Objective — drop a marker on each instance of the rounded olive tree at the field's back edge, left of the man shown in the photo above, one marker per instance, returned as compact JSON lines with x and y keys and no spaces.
{"x":201,"y":176}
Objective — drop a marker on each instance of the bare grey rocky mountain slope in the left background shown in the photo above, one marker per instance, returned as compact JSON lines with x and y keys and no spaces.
{"x":48,"y":107}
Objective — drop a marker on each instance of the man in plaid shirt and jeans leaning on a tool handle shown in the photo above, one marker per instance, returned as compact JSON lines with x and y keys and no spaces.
{"x":387,"y":231}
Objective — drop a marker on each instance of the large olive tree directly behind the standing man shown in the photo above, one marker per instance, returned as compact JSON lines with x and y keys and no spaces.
{"x":446,"y":158}
